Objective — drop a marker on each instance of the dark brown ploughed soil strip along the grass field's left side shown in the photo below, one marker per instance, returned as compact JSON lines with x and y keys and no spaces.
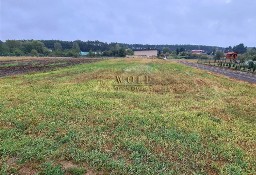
{"x":22,"y":66}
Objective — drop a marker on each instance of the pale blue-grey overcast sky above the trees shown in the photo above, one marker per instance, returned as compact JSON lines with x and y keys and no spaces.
{"x":206,"y":22}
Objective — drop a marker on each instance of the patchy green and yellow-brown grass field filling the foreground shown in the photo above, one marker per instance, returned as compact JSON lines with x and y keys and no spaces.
{"x":73,"y":121}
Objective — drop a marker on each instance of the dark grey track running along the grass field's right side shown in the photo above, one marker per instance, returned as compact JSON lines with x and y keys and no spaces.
{"x":244,"y":76}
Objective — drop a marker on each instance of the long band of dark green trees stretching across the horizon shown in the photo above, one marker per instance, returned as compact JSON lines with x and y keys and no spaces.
{"x":97,"y":48}
